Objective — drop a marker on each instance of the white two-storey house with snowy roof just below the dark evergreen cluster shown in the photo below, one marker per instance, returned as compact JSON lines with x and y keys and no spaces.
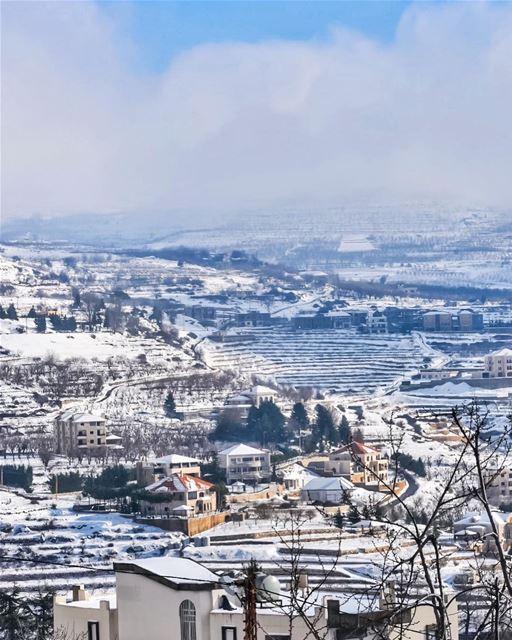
{"x":241,"y":462}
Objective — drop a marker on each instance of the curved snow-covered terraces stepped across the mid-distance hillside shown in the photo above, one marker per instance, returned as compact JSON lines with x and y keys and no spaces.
{"x":338,"y":360}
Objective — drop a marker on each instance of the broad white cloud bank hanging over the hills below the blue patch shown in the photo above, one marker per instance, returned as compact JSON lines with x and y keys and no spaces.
{"x":84,"y":129}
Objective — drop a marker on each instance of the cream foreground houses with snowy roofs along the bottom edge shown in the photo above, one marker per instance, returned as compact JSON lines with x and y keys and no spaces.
{"x":182,"y":599}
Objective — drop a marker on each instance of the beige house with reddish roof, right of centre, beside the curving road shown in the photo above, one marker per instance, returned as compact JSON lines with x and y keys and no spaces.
{"x":360,"y":464}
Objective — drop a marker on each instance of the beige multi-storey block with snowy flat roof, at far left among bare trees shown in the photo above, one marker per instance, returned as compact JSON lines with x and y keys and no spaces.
{"x":77,"y":431}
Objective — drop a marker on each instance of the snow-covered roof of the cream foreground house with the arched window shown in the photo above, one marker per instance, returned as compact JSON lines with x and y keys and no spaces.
{"x":179,"y":572}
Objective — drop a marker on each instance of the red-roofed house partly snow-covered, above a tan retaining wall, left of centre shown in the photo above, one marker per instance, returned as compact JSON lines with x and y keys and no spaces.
{"x":179,"y":495}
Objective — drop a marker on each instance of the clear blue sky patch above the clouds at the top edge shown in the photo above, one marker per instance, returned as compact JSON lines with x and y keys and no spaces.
{"x":162,"y":29}
